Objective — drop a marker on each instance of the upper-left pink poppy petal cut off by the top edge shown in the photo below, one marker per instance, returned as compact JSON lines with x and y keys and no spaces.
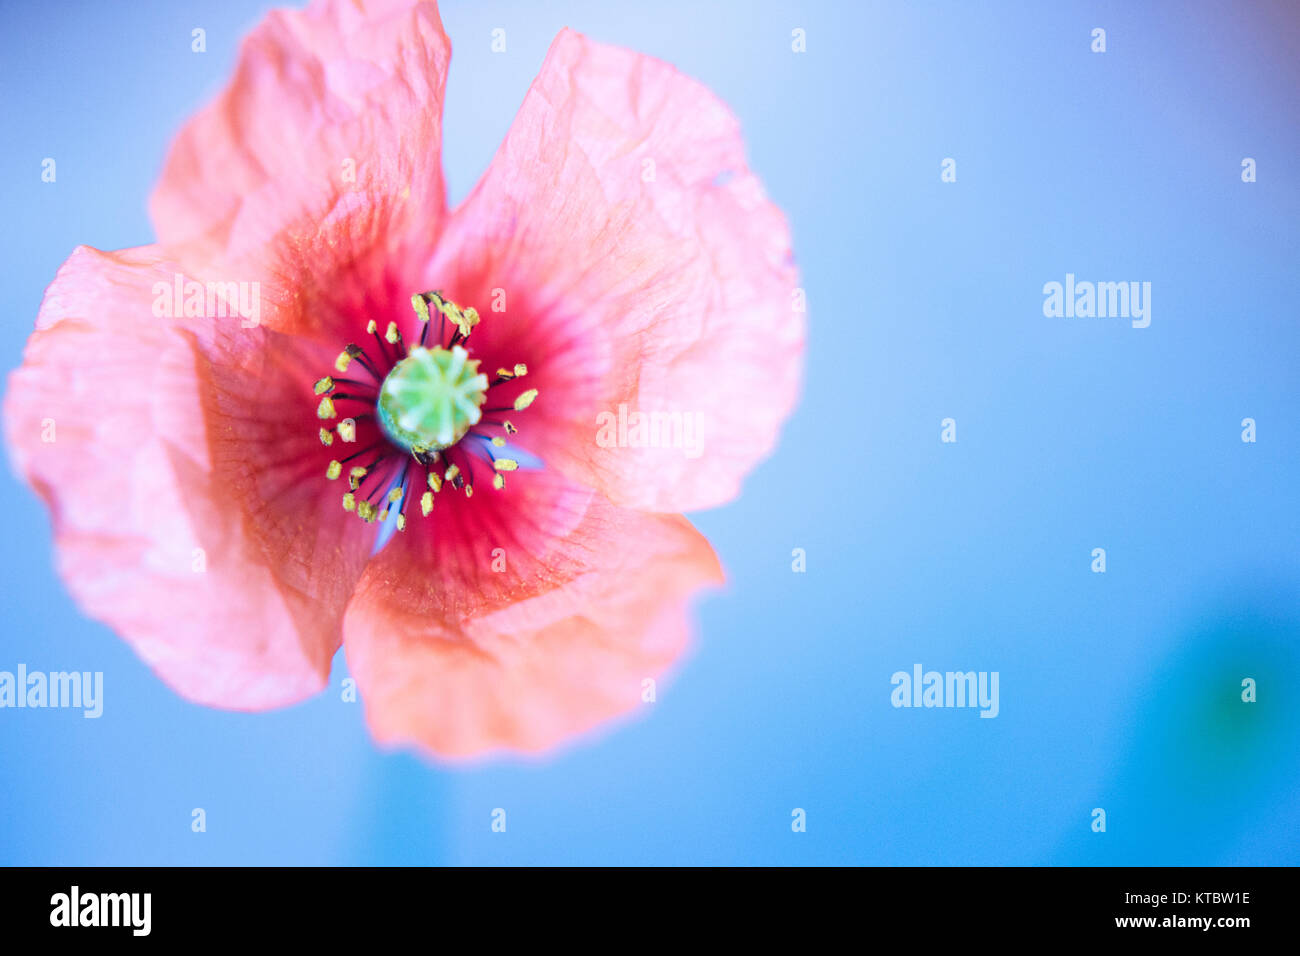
{"x":318,"y":170}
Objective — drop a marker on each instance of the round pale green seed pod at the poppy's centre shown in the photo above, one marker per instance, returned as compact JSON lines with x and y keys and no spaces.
{"x":432,"y":399}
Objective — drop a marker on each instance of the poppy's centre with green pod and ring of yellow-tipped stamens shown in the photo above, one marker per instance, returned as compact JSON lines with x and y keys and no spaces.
{"x":418,"y":414}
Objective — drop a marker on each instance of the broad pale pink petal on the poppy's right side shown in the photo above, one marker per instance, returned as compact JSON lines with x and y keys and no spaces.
{"x":621,"y":246}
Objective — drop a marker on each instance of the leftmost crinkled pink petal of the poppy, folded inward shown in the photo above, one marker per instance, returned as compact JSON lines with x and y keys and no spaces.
{"x":171,"y":456}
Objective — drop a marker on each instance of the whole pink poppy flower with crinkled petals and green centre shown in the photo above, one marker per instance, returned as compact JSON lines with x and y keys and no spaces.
{"x":327,"y":410}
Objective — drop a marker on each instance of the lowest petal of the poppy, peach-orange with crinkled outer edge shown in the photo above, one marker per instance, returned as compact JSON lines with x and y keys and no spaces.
{"x":603,"y":615}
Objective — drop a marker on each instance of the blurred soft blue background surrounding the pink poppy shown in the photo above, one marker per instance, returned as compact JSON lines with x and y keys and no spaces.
{"x":1117,"y":691}
